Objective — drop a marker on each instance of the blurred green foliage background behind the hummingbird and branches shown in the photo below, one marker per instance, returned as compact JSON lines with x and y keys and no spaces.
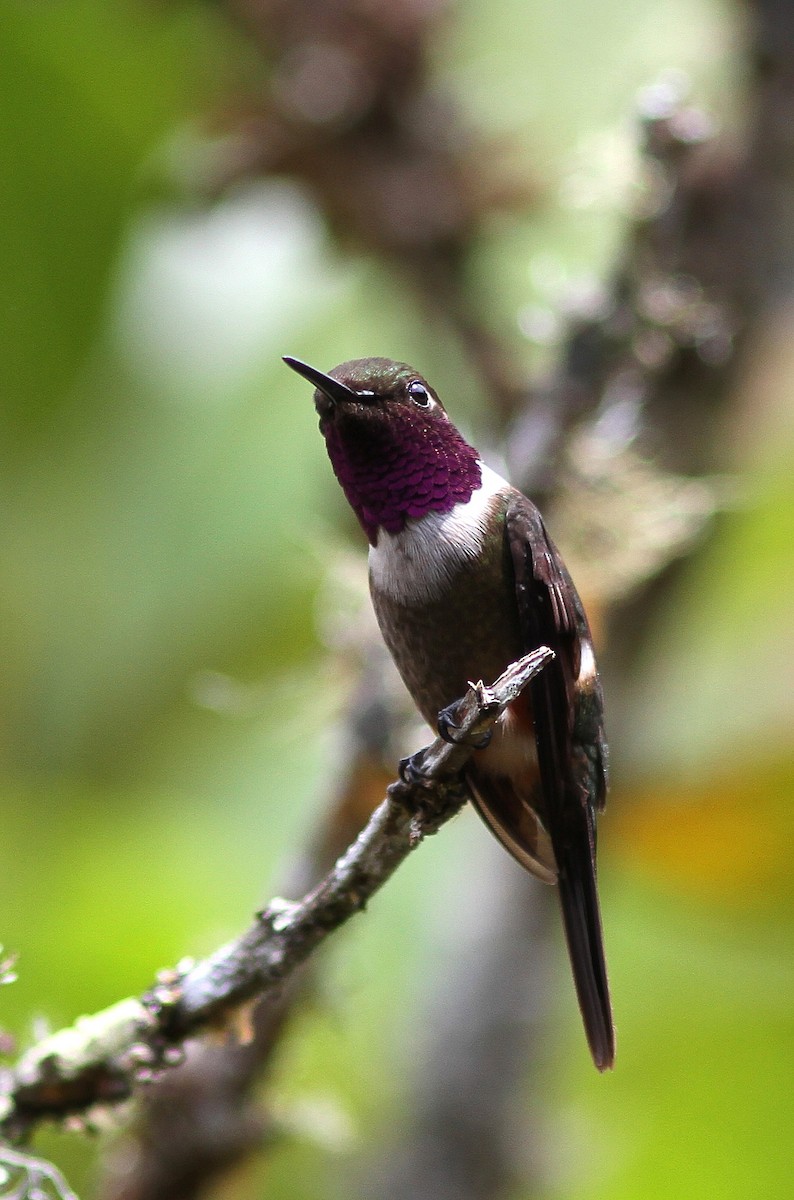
{"x":166,"y":704}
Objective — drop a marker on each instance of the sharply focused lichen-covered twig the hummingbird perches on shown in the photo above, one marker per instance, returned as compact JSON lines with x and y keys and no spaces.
{"x":100,"y":1059}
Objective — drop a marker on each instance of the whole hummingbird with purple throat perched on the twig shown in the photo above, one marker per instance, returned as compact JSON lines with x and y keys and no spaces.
{"x":465,"y":580}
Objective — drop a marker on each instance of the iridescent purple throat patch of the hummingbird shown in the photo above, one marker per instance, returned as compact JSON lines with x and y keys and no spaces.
{"x":401,"y":467}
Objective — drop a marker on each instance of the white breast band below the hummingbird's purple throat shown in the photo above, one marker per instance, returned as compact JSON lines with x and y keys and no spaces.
{"x":420,"y":562}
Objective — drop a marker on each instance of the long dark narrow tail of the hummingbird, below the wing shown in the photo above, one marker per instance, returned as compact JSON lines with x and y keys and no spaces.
{"x":582,"y":921}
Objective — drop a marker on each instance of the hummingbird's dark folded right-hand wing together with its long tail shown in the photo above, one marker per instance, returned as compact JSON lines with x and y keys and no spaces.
{"x":572,"y":752}
